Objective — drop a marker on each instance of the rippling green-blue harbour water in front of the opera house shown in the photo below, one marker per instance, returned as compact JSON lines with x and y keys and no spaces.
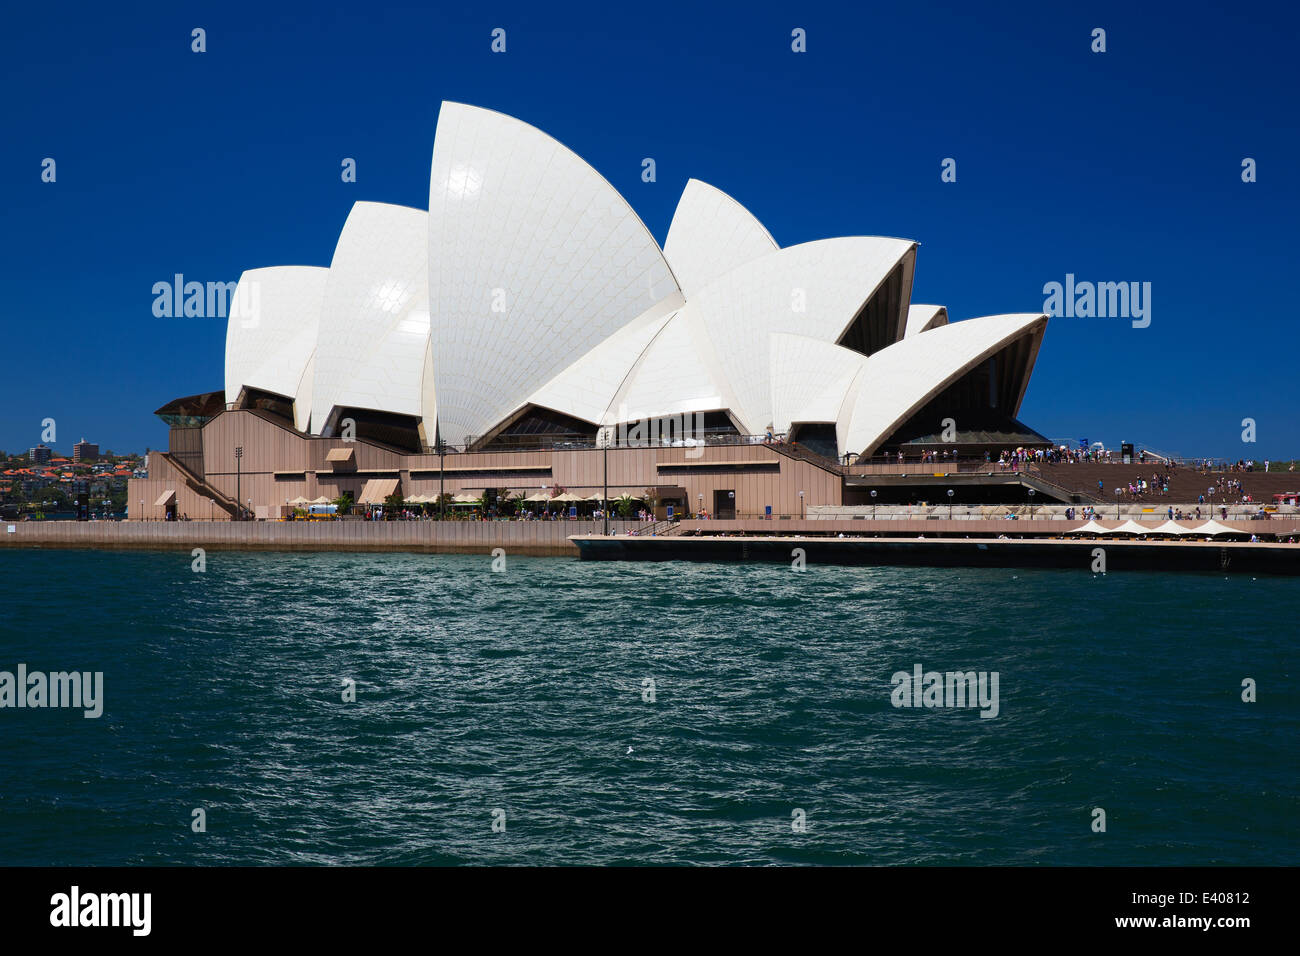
{"x":525,"y":691}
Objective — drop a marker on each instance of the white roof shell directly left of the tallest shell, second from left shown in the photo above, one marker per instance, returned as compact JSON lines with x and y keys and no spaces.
{"x":375,"y":322}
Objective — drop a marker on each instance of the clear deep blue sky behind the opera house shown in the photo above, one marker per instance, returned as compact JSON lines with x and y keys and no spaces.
{"x":1115,"y":167}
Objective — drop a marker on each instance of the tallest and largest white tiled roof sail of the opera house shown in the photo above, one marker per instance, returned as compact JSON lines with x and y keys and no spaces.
{"x":519,"y":222}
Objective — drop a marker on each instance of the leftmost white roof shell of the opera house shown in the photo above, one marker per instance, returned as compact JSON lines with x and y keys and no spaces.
{"x":271,"y":334}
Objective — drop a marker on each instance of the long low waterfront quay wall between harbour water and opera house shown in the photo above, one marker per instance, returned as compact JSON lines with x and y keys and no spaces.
{"x":913,"y":543}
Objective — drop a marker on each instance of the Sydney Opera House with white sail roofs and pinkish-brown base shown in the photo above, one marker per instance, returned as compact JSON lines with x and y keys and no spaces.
{"x":528,"y":332}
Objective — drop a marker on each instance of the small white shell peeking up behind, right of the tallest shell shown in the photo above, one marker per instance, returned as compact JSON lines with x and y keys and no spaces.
{"x":712,"y":235}
